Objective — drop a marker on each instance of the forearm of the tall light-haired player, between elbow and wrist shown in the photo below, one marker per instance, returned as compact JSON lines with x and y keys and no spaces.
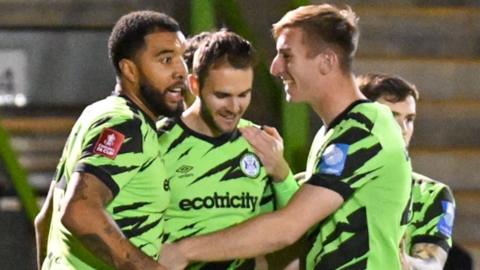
{"x":254,"y":237}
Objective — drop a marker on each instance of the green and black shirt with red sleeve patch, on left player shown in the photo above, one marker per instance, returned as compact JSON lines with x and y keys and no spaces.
{"x":115,"y":141}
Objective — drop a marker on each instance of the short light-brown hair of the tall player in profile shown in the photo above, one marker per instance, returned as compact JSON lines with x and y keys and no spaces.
{"x":324,"y":26}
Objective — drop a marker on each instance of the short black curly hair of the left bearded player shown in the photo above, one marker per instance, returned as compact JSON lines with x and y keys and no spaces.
{"x":127,"y":36}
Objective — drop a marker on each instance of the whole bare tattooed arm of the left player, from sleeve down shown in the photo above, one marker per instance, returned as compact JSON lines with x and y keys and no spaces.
{"x":84,"y":215}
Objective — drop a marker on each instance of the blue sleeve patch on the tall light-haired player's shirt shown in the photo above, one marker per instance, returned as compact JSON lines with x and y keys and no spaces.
{"x":333,"y":159}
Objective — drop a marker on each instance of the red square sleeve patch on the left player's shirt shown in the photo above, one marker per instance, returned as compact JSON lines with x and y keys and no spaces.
{"x":109,"y":143}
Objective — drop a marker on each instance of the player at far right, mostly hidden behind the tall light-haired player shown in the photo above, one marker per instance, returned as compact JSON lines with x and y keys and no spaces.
{"x":429,"y":234}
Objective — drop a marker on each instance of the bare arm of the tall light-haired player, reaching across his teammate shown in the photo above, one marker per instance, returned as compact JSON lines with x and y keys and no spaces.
{"x":260,"y":235}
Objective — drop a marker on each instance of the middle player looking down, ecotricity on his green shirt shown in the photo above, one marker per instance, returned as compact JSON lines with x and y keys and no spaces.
{"x":215,"y":178}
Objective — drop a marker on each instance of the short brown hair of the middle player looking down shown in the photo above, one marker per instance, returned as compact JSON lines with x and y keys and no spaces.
{"x":222,"y":47}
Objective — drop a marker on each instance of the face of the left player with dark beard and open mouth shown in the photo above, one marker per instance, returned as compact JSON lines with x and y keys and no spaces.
{"x":162,"y":72}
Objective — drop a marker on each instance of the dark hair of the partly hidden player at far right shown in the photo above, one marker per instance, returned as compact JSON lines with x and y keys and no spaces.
{"x":391,"y":87}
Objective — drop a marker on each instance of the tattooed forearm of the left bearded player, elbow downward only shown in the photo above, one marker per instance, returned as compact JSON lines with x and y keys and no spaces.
{"x":102,"y":237}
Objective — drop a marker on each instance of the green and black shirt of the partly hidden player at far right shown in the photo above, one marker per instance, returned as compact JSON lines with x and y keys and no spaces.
{"x":433,"y":212}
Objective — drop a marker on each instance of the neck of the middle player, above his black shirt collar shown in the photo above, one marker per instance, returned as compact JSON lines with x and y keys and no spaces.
{"x":193,"y":119}
